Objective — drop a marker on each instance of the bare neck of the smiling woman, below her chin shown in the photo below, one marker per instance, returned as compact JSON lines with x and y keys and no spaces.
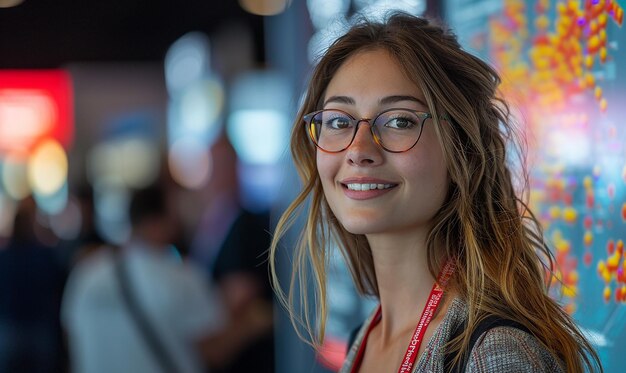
{"x":404,"y":282}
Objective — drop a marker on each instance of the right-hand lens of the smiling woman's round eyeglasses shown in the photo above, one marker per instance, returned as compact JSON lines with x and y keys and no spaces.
{"x":398,"y":129}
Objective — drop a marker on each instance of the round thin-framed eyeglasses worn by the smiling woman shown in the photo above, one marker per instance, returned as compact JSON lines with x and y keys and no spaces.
{"x":395,"y":130}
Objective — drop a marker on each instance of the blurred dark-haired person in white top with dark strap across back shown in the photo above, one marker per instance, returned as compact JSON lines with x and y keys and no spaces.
{"x":139,"y":308}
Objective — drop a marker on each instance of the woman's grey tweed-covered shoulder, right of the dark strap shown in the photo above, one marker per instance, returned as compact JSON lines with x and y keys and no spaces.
{"x":509,"y":349}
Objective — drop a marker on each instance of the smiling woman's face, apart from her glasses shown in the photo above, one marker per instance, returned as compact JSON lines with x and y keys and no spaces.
{"x":414,"y":182}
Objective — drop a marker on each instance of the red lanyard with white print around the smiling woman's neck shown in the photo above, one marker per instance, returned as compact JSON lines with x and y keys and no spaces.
{"x":416,"y":340}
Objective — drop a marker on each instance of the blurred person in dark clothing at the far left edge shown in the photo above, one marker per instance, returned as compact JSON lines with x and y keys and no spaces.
{"x":31,"y":284}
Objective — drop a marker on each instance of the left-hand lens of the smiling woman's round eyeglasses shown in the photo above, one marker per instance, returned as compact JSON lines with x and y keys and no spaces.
{"x":332,"y":130}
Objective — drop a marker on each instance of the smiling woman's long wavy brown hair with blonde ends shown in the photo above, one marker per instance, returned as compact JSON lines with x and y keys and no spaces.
{"x":504,"y":266}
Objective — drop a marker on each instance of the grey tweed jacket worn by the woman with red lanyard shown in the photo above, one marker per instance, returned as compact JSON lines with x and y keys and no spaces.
{"x":501,"y":349}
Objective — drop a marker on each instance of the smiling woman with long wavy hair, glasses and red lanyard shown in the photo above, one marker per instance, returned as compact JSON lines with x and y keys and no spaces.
{"x":402,"y":143}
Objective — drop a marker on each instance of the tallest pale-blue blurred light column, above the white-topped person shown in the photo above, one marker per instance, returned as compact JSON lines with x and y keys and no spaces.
{"x":194,"y":110}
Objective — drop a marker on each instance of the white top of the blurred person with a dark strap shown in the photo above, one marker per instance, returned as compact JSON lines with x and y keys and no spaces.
{"x":103,"y":336}
